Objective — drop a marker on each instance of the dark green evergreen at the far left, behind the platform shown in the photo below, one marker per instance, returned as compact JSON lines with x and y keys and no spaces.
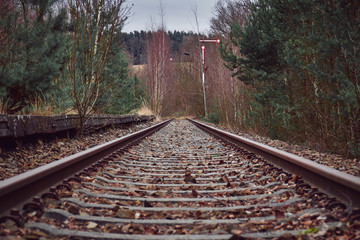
{"x":32,"y":53}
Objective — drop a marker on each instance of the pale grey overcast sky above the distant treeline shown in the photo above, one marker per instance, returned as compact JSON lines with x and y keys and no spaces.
{"x":178,"y":15}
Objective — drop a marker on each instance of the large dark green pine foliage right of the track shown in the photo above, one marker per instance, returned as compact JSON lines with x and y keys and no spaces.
{"x":301,"y":59}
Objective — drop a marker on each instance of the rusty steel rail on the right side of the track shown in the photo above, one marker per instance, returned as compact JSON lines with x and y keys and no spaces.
{"x":344,"y":187}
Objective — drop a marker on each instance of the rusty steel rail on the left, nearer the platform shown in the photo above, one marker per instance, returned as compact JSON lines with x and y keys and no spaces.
{"x":19,"y":189}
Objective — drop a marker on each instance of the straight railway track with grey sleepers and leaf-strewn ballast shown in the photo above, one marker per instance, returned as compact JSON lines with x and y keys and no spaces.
{"x":182,"y":183}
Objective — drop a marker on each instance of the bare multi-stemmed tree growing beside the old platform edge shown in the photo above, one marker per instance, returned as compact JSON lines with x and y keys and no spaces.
{"x":95,"y":24}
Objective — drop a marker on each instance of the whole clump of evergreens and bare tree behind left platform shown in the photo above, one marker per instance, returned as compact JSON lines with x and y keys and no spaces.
{"x":74,"y":64}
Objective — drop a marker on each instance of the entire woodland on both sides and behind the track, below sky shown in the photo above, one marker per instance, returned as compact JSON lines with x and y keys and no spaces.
{"x":288,"y":70}
